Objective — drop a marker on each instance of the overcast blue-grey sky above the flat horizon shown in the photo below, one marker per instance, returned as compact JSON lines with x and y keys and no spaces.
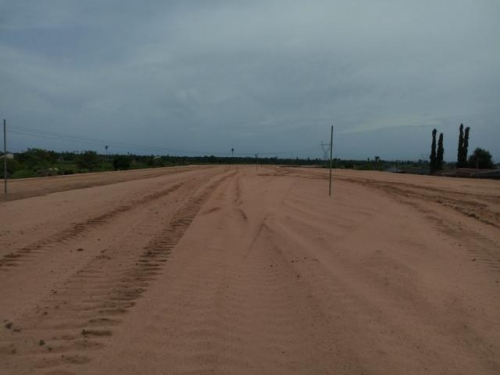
{"x":192,"y":77}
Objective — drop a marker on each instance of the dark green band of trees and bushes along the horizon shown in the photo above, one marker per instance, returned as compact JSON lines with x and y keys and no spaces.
{"x":40,"y":163}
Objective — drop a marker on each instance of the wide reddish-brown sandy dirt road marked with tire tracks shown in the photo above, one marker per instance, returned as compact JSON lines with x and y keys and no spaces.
{"x":244,"y":270}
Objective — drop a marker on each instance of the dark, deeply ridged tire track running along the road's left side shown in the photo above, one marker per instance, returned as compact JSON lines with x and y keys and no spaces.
{"x":79,"y":317}
